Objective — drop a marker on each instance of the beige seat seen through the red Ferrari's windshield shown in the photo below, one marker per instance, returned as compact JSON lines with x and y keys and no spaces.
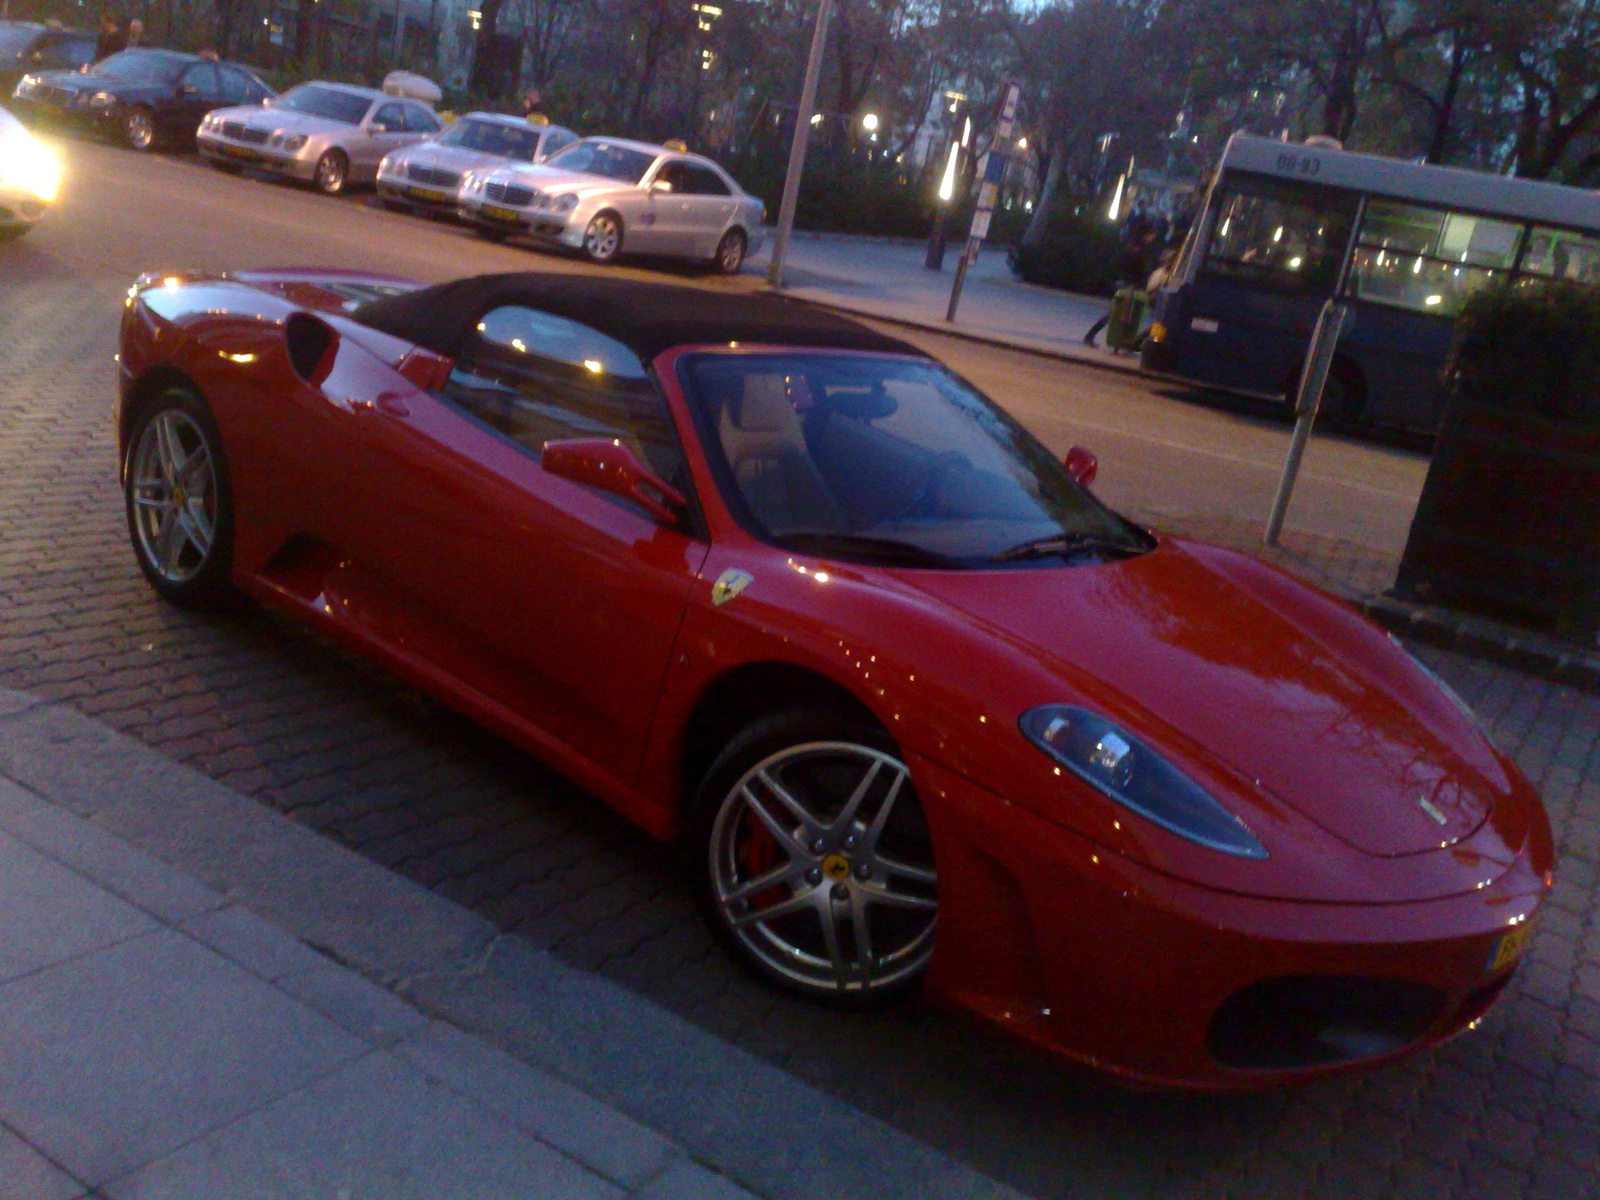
{"x":766,"y":447}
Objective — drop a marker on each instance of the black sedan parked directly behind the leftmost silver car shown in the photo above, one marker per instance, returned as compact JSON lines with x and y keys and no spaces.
{"x":142,"y":97}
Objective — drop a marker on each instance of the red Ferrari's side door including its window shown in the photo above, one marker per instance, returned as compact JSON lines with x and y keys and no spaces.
{"x":561,"y":602}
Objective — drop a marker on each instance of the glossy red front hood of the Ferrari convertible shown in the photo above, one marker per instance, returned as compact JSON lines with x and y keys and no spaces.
{"x":1228,"y":665}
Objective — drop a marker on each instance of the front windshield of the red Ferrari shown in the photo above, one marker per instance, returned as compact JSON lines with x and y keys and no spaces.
{"x":889,"y":460}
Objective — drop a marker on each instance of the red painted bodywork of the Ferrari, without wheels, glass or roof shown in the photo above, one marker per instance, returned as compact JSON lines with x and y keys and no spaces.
{"x":370,"y":510}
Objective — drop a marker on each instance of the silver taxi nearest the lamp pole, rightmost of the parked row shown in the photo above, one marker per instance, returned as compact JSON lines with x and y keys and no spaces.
{"x":607,"y":196}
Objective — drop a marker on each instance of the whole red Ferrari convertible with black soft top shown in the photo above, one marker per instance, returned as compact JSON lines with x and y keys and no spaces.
{"x":926,"y":711}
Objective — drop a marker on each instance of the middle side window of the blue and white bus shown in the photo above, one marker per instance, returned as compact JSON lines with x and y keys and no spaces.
{"x":1426,"y":260}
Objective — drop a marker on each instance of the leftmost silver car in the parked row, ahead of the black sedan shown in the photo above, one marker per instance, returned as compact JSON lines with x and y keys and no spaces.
{"x":329,"y":135}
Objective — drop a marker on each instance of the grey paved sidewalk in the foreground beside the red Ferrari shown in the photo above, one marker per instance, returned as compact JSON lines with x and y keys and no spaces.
{"x":167,"y":1038}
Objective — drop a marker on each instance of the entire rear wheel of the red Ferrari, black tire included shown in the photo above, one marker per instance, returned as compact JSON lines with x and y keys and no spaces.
{"x":185,"y":567}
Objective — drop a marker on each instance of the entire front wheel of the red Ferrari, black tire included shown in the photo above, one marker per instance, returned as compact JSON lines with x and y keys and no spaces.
{"x":870,"y":870}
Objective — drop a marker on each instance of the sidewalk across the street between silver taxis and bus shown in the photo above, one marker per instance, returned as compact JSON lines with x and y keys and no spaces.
{"x":890,"y":281}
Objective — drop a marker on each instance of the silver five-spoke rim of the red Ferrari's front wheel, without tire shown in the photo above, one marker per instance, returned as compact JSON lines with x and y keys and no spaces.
{"x":801,"y":876}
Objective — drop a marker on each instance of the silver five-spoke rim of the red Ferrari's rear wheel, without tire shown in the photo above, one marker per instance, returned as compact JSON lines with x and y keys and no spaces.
{"x":172,"y":487}
